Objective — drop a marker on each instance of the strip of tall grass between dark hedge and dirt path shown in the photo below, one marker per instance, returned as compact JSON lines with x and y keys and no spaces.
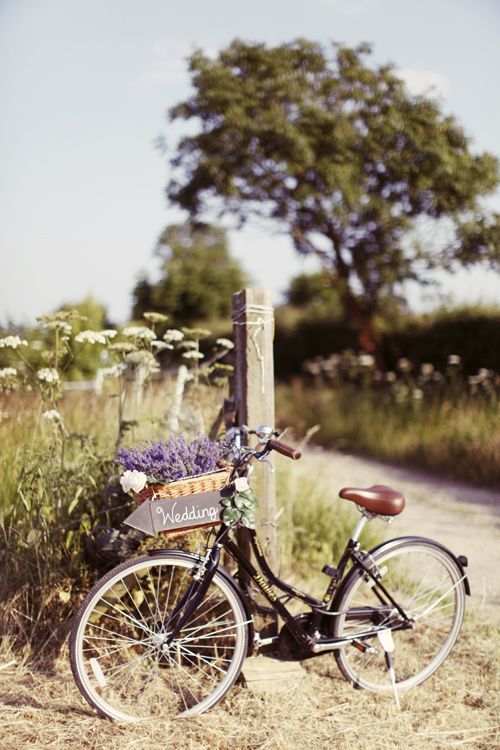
{"x":454,"y":435}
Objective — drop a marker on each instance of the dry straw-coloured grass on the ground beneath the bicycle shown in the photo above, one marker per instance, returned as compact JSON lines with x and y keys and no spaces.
{"x":457,"y":708}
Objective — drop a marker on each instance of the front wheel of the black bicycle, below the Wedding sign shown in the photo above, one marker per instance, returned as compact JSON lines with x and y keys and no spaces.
{"x":120,"y":657}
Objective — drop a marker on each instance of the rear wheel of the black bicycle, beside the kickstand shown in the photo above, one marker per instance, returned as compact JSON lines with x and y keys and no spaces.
{"x":426,"y":582}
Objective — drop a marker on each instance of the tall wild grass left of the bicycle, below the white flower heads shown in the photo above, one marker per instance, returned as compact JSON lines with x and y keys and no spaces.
{"x":55,"y":489}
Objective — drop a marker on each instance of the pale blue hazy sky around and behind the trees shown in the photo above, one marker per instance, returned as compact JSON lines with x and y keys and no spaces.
{"x":84,"y":90}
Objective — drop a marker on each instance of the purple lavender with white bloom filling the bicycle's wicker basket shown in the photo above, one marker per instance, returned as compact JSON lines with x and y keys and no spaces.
{"x":171,"y":460}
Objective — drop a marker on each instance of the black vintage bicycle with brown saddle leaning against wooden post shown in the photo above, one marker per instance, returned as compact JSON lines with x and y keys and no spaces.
{"x":166,"y":634}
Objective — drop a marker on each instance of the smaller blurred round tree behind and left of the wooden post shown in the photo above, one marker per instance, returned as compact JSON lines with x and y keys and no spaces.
{"x":198,"y":276}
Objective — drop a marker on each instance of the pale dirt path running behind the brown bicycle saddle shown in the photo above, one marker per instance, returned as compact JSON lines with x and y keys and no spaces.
{"x":464,"y":518}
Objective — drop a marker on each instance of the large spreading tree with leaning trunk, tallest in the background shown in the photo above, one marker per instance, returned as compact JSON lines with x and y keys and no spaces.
{"x":343,"y":158}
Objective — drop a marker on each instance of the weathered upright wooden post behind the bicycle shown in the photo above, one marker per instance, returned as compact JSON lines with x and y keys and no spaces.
{"x":253,"y":331}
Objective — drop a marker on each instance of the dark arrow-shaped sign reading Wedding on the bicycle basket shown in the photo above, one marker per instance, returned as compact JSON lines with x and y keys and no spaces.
{"x":154,"y":516}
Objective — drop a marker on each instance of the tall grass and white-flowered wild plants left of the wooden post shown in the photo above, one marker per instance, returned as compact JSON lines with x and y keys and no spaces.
{"x":57,"y":456}
